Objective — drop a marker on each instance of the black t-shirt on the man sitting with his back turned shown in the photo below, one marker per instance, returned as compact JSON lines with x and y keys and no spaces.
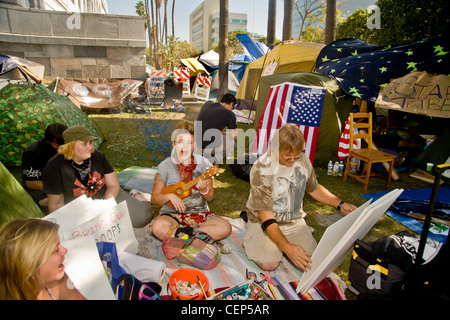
{"x":214,"y":116}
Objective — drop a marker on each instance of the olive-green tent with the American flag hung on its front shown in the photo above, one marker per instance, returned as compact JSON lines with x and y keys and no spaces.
{"x":336,"y":109}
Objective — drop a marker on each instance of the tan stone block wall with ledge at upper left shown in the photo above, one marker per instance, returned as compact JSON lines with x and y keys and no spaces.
{"x":80,"y":45}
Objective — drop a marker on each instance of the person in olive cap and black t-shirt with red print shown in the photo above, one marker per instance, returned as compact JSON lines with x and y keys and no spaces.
{"x":78,"y":169}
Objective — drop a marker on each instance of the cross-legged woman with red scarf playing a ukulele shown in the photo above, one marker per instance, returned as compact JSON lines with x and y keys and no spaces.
{"x":192,"y":211}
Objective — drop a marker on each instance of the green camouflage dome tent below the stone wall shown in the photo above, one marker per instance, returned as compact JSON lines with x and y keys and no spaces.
{"x":25,"y":112}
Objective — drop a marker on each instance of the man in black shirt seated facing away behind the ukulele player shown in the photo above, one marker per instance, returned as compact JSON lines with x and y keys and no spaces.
{"x":213,"y":118}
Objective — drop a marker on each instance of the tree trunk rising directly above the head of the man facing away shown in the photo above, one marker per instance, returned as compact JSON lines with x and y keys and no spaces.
{"x":223,"y":49}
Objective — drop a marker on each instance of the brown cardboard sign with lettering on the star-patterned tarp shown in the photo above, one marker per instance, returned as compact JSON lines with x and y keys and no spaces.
{"x":418,"y":92}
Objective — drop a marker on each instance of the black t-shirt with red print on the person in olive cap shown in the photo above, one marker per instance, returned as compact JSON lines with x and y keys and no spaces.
{"x":60,"y":177}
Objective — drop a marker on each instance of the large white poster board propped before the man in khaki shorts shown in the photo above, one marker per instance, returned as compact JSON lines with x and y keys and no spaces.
{"x":337,"y":241}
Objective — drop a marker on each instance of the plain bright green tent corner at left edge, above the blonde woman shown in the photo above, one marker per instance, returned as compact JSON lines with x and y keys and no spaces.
{"x":15,"y":202}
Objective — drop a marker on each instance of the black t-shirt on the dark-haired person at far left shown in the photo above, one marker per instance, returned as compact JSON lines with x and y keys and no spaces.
{"x":34,"y":159}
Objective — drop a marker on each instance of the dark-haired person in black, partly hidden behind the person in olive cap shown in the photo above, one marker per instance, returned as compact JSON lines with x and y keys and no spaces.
{"x":34,"y":159}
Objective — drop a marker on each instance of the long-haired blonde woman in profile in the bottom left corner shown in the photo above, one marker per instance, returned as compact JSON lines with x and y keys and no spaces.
{"x":32,"y":262}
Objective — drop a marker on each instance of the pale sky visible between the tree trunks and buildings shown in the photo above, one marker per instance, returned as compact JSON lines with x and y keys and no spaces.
{"x":256,"y":10}
